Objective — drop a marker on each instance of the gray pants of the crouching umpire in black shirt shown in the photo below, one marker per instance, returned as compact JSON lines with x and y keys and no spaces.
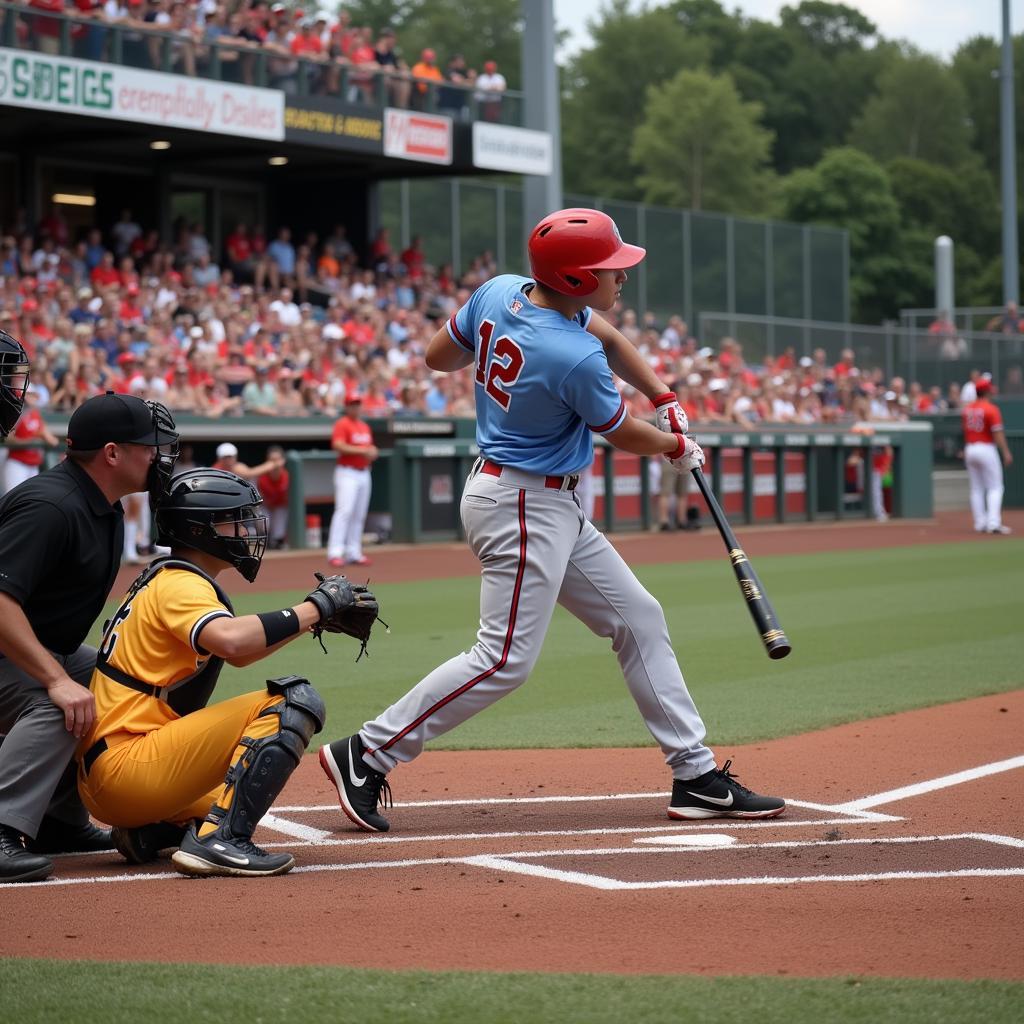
{"x":37,"y":775}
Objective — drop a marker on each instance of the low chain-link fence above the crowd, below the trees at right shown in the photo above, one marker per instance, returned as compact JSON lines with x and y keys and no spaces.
{"x":917,"y":356}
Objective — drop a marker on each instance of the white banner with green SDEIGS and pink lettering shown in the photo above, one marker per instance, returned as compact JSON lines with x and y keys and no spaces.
{"x":100,"y":91}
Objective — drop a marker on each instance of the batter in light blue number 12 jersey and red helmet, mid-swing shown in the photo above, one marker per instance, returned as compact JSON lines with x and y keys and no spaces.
{"x":543,"y":368}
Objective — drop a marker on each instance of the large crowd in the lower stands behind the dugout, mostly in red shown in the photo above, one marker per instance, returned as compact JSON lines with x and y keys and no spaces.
{"x":280,"y":329}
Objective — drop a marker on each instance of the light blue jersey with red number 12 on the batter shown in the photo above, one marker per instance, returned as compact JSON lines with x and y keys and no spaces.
{"x":543,"y":382}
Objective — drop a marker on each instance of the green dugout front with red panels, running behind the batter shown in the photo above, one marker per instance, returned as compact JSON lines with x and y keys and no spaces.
{"x":782,"y":475}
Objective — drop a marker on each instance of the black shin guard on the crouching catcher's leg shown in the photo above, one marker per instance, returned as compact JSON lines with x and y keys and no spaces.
{"x":260,"y":776}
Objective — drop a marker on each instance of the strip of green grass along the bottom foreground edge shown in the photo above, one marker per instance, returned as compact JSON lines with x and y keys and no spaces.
{"x":46,"y":992}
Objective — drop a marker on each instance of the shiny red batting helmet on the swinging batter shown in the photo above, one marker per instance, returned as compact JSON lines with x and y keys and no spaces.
{"x":566,"y":248}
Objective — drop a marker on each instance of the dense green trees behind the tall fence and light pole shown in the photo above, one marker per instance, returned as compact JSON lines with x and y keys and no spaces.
{"x":817,"y":119}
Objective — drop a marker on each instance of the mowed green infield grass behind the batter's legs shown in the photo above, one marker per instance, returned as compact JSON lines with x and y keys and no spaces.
{"x":874,"y":632}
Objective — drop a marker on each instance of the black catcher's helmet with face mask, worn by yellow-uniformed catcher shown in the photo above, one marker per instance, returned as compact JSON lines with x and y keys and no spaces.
{"x":199,"y":501}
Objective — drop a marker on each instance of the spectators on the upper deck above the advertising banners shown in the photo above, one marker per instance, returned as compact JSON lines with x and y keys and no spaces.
{"x":254,"y":42}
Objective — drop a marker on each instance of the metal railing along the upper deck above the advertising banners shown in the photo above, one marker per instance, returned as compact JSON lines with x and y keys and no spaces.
{"x":140,"y":45}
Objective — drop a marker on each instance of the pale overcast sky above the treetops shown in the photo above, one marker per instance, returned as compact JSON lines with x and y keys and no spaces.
{"x":934,"y":26}
